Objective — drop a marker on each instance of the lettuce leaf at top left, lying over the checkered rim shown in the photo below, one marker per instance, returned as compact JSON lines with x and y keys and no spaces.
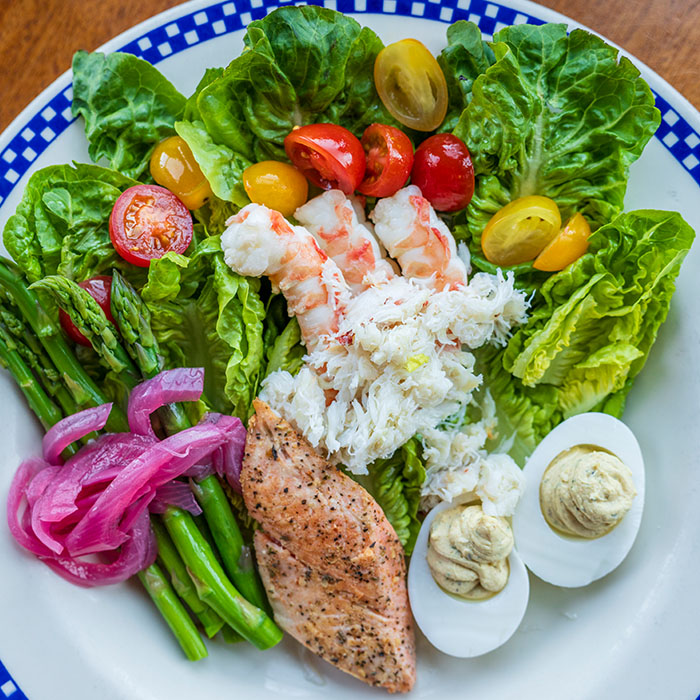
{"x":128,"y":107}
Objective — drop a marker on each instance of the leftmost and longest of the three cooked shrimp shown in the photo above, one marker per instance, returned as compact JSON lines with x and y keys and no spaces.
{"x":260,"y":241}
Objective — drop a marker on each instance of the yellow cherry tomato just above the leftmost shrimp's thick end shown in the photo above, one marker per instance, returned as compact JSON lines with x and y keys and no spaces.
{"x":277,"y":185}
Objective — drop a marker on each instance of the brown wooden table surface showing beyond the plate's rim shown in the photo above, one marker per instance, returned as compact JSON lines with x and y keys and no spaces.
{"x":38,"y":37}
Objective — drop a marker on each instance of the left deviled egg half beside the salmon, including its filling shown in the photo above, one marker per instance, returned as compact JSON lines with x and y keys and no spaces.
{"x":471,"y":555}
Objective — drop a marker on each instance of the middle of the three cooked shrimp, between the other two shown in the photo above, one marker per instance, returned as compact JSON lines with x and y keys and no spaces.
{"x":346,"y":238}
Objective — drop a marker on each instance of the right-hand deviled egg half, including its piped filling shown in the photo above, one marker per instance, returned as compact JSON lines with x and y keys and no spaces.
{"x":582,"y":505}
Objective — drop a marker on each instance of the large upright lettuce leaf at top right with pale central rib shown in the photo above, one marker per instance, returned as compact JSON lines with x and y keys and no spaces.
{"x":556,"y":115}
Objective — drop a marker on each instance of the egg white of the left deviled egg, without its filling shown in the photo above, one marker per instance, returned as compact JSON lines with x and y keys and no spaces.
{"x":461,"y":627}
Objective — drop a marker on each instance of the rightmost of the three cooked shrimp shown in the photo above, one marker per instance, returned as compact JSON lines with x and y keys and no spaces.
{"x":413,"y":234}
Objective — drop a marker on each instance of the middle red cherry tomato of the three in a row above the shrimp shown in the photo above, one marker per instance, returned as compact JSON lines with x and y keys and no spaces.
{"x":389,"y":154}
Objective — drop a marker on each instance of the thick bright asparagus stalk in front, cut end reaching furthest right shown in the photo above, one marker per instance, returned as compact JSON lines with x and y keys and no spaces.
{"x":212,"y":584}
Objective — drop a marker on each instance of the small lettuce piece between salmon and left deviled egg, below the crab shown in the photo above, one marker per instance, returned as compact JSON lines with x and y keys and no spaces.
{"x":395,"y":484}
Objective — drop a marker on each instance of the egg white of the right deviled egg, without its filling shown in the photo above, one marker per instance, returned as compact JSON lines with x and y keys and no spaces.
{"x":567,"y":561}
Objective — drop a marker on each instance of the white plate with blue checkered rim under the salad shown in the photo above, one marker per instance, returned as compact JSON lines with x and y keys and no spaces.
{"x":634,"y":634}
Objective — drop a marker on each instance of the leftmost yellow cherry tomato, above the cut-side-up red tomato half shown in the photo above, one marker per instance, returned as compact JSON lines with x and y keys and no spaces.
{"x":173,"y":166}
